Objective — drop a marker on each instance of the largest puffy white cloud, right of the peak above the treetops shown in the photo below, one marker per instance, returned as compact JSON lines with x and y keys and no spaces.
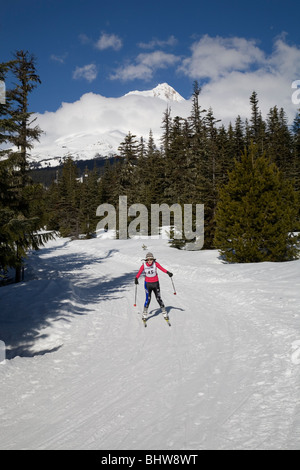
{"x":232,"y":68}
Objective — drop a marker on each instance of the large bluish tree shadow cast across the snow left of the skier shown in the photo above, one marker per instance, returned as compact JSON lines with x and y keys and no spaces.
{"x":60,"y":293}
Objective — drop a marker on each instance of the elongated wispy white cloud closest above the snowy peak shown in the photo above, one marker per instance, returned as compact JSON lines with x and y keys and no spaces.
{"x":145,"y":66}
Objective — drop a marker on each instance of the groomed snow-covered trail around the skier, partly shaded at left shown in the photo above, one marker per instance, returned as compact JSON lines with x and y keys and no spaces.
{"x":83,"y":373}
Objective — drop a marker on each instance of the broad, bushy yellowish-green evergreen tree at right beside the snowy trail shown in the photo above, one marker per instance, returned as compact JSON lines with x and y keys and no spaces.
{"x":256,"y":212}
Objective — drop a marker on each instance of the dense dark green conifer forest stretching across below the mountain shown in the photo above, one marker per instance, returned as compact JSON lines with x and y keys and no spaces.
{"x":247,"y":175}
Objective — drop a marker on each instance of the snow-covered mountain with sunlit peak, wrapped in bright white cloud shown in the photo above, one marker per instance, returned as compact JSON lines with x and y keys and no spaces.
{"x":95,"y":125}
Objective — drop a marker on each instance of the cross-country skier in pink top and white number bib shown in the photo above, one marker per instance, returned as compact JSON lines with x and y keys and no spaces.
{"x":152,"y":283}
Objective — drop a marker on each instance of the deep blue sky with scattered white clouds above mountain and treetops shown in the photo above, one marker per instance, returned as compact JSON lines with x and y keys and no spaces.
{"x":112,"y":47}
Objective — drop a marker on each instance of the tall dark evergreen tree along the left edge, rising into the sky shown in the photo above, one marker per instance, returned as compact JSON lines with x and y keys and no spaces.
{"x":19,"y":226}
